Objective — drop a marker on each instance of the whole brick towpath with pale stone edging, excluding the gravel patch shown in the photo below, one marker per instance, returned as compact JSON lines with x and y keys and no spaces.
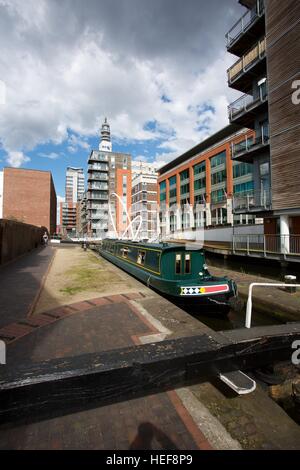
{"x":191,"y":418}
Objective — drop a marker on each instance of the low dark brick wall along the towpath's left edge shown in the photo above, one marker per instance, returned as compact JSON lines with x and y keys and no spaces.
{"x":17,"y":238}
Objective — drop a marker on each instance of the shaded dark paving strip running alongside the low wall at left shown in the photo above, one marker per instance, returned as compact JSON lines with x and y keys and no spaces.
{"x":20,"y":282}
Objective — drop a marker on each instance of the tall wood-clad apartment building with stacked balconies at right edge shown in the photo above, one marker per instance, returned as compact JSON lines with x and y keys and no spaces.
{"x":266,"y":40}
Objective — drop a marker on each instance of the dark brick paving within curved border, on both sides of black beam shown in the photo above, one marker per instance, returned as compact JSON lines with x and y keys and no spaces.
{"x":154,"y":422}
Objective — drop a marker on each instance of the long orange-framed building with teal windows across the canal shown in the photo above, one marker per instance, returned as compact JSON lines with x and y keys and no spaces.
{"x":207,"y":176}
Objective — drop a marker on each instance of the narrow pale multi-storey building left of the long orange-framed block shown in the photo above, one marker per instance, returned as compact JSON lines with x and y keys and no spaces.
{"x":144,"y":204}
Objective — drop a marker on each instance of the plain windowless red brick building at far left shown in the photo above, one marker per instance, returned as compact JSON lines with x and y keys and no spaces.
{"x":29,"y":196}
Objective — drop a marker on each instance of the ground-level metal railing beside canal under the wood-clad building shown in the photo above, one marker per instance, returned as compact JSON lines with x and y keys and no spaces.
{"x":267,"y":244}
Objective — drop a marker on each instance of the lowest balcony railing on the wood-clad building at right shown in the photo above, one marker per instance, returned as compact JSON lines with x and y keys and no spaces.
{"x":252,"y":200}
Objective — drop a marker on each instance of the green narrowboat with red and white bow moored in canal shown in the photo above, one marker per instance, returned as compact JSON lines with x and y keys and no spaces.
{"x":172,"y":270}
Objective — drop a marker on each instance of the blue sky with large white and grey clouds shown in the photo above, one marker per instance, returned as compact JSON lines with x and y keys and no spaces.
{"x":155,"y":68}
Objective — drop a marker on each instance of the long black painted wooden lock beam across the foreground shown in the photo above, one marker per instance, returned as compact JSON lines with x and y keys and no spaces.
{"x":61,"y":386}
